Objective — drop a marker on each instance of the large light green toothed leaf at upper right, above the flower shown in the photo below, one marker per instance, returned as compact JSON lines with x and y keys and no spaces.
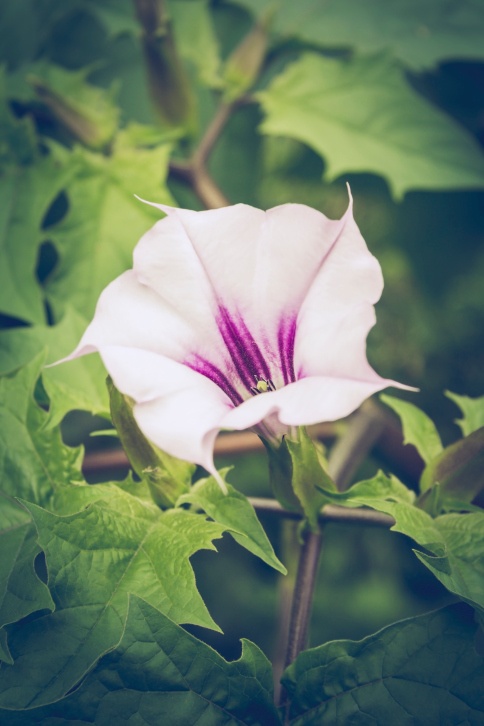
{"x":362,"y":116}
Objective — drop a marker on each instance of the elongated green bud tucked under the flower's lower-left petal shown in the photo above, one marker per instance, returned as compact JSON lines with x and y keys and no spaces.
{"x":167,"y":477}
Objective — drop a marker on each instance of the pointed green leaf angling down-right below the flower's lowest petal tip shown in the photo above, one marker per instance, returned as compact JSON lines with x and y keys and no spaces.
{"x":233,"y":510}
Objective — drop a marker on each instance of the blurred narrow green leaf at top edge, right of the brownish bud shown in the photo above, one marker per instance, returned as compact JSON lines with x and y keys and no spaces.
{"x":195,"y":38}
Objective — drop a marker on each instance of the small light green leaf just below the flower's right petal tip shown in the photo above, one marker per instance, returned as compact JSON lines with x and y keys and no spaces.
{"x":418,"y":429}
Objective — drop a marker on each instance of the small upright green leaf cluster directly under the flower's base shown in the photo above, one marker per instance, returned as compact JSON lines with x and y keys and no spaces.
{"x":297,"y":473}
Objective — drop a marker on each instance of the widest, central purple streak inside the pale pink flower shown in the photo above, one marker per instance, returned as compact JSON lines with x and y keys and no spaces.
{"x":244,"y":351}
